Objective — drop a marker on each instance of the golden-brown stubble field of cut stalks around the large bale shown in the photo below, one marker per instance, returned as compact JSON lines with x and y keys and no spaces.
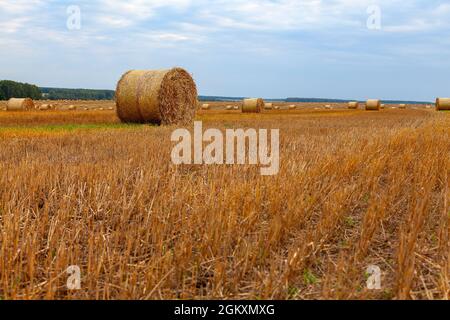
{"x":355,"y":189}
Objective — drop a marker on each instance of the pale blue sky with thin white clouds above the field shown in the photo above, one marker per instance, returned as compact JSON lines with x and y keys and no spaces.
{"x":347,"y":49}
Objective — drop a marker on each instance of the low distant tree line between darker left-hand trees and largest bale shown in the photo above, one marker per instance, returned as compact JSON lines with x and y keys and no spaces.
{"x":76,"y":94}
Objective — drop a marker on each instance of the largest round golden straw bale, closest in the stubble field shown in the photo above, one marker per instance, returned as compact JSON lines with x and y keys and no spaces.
{"x":156,"y":96}
